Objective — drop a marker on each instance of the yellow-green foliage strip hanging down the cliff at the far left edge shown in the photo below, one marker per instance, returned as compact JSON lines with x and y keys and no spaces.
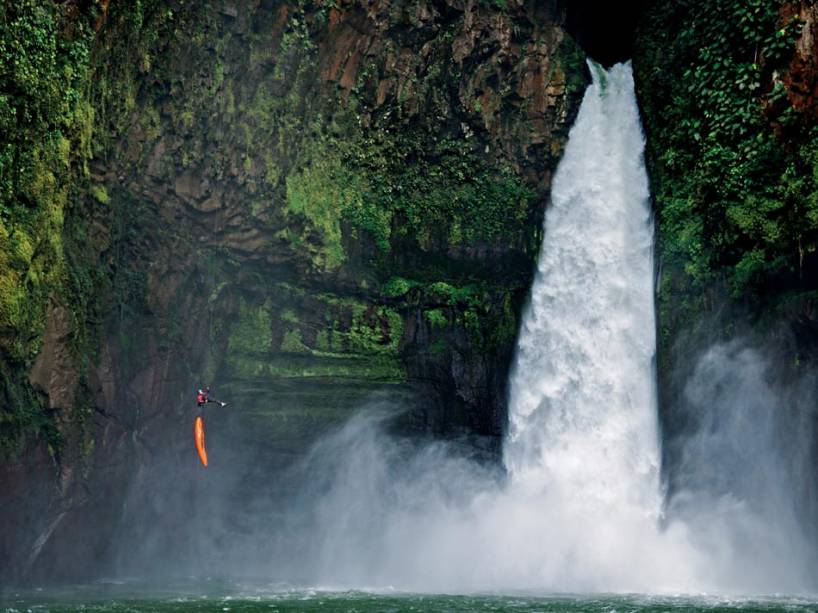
{"x":46,"y":124}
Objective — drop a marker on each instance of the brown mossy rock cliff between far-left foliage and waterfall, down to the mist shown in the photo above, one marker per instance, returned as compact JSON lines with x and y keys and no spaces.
{"x":310,"y":207}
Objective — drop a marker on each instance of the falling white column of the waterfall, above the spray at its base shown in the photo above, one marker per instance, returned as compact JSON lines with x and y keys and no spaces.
{"x":582,"y":416}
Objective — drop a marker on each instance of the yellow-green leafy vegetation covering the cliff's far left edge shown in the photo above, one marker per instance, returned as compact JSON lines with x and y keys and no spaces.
{"x":52,"y":104}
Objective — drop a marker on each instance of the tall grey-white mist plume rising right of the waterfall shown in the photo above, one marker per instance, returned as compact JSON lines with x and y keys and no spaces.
{"x":744,"y":462}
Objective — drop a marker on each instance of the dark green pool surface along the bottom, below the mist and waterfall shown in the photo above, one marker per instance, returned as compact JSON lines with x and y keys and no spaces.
{"x":136,"y":598}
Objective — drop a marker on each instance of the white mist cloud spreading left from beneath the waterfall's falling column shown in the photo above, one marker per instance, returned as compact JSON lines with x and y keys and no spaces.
{"x":380,"y":511}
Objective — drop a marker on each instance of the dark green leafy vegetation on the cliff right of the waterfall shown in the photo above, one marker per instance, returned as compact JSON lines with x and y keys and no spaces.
{"x":737,"y":204}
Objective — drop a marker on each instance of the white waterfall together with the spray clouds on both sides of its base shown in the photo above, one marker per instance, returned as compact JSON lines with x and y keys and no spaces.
{"x":580,"y":505}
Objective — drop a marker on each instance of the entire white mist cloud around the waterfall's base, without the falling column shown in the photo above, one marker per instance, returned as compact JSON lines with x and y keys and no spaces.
{"x":382,"y":511}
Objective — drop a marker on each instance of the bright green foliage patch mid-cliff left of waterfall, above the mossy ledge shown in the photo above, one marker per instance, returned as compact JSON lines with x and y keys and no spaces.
{"x":390,"y":184}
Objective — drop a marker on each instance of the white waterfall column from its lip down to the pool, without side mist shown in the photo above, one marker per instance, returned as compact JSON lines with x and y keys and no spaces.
{"x":583,"y":441}
